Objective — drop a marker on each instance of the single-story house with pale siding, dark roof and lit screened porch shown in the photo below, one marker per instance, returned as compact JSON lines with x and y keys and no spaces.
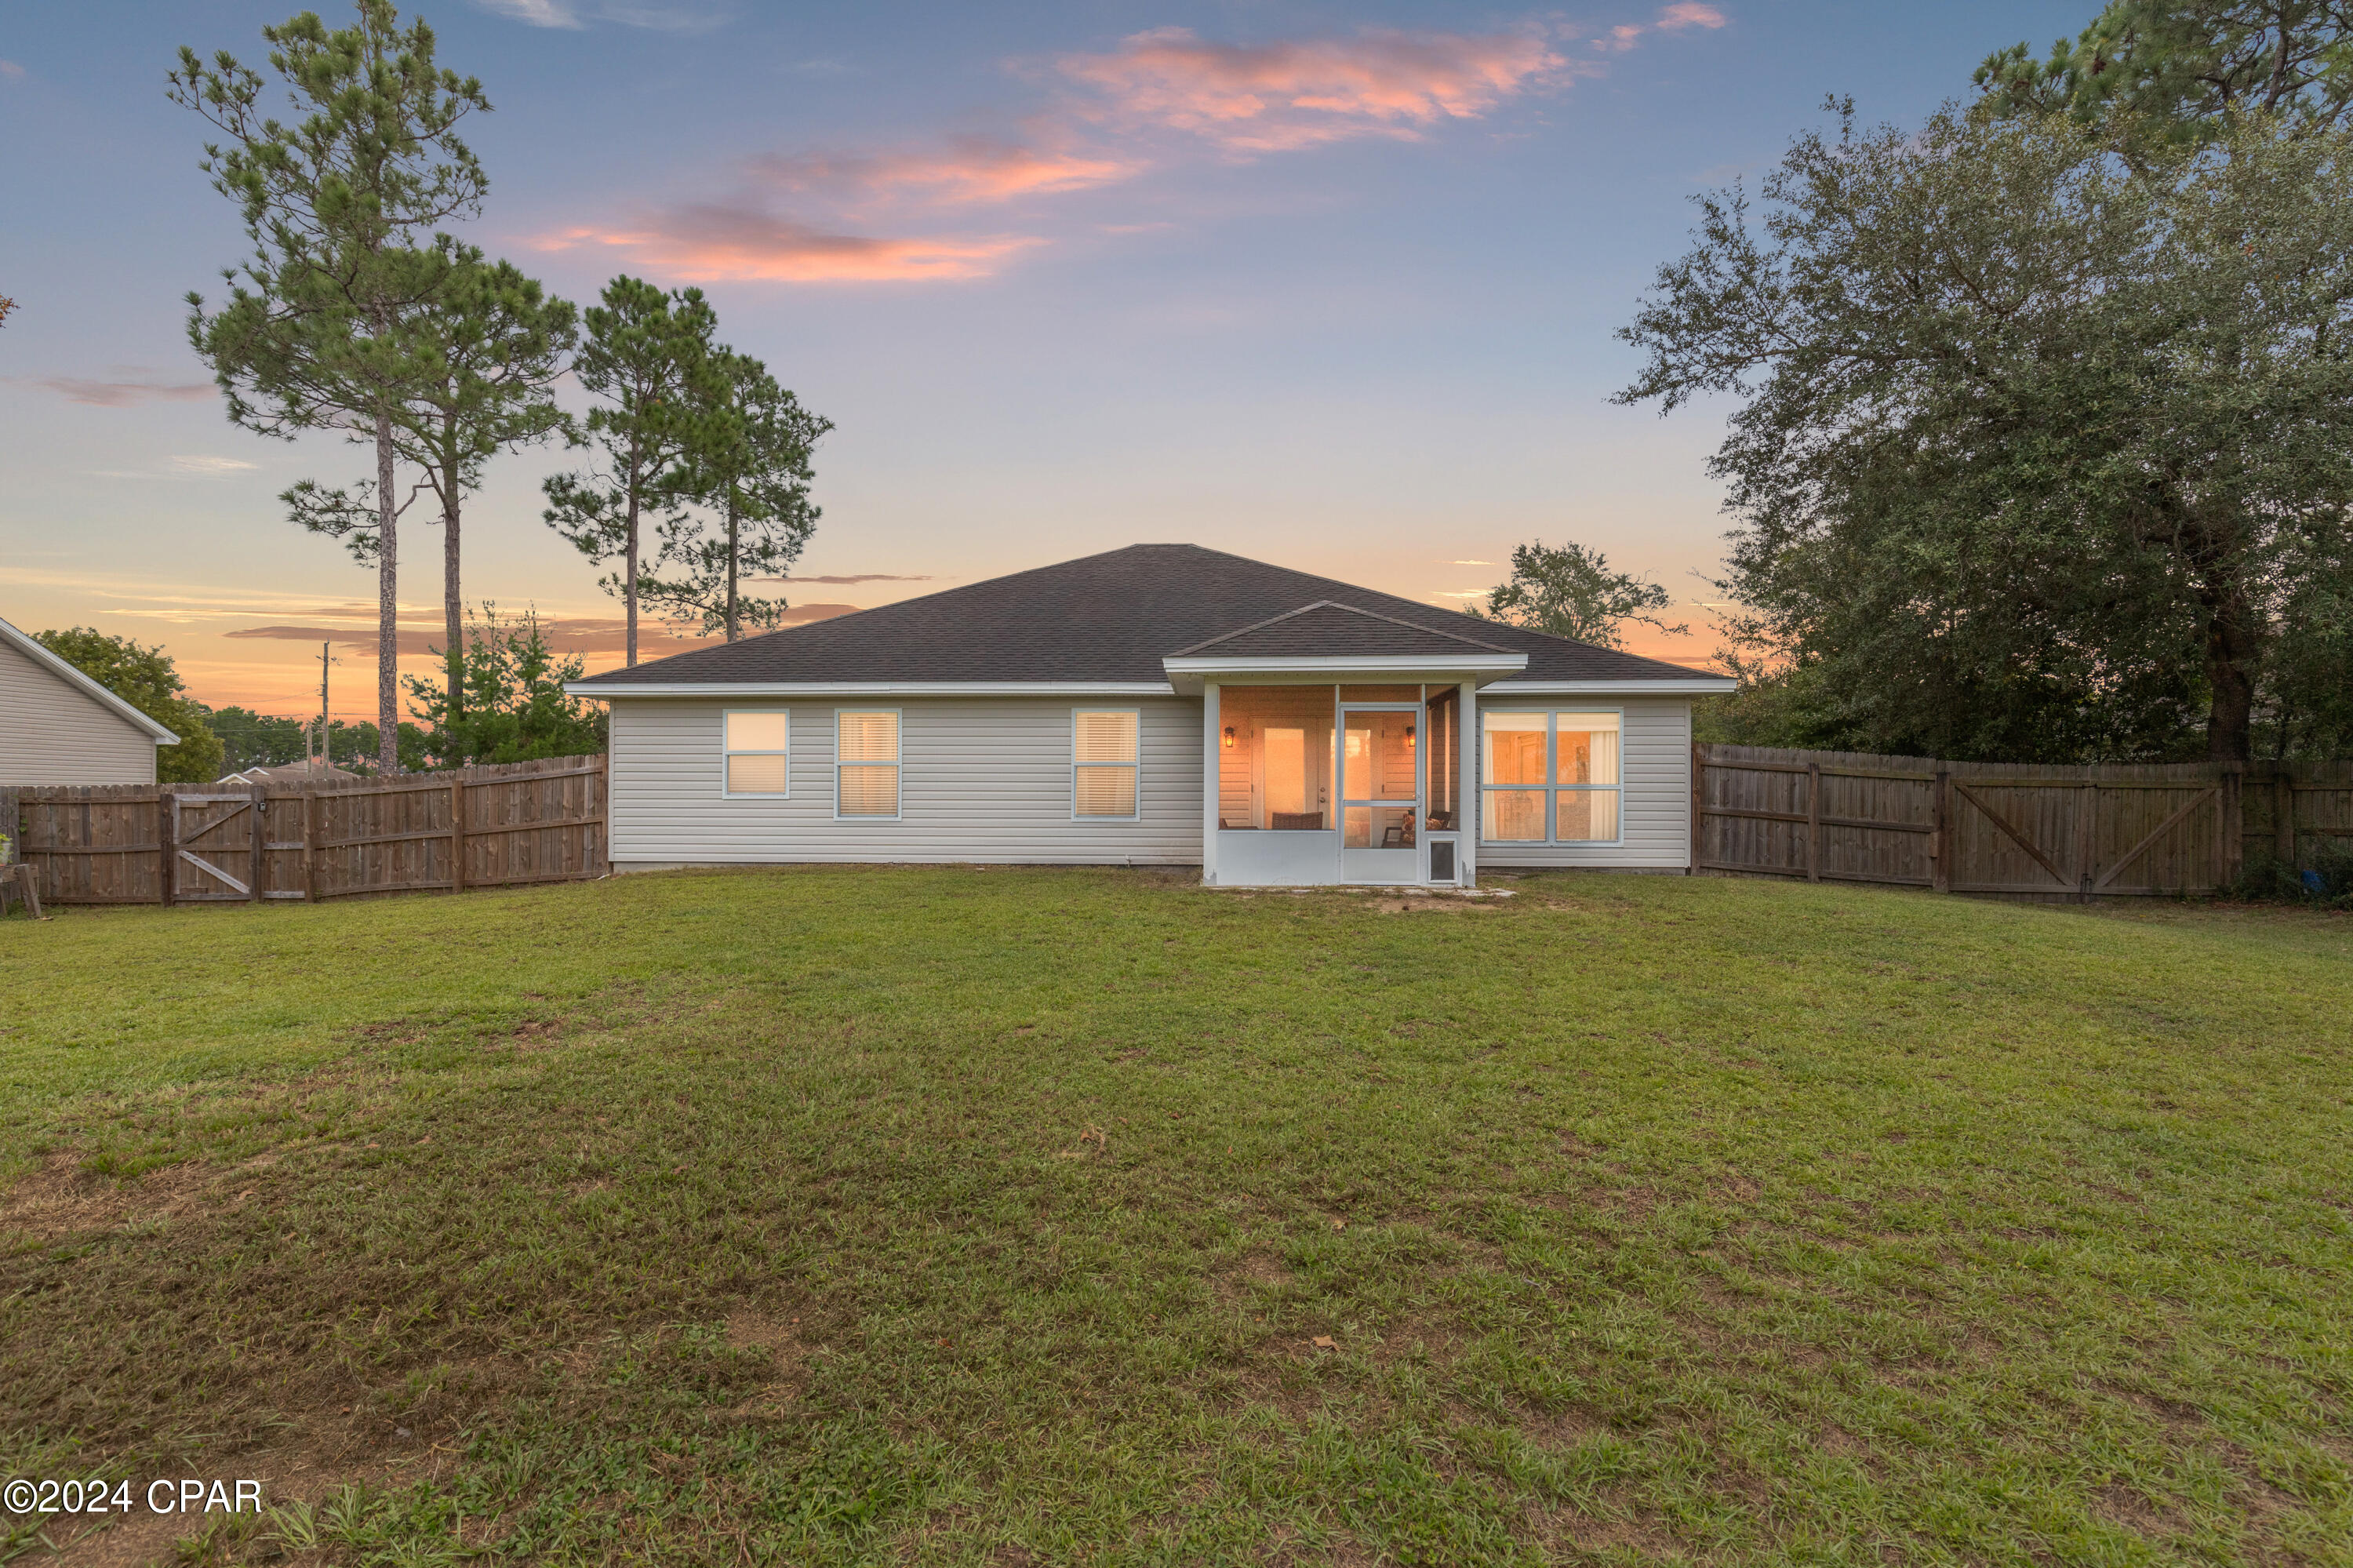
{"x":1164,"y":705}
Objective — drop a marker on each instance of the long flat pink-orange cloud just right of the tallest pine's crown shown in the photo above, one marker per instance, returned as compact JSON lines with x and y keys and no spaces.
{"x":712,"y":241}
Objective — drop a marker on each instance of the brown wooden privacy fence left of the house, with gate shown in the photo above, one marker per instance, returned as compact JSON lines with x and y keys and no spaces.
{"x":298,"y":839}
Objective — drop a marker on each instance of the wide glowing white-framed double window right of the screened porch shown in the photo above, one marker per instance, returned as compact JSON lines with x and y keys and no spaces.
{"x":1552,"y":776}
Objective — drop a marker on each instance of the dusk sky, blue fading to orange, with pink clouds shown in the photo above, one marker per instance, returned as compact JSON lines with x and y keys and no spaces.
{"x":1331,"y":286}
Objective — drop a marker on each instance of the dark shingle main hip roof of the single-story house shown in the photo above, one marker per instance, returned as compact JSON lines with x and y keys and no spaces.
{"x":1107,"y":618}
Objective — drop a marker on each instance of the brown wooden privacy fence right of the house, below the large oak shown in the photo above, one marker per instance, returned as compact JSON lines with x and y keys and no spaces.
{"x":2004,"y":828}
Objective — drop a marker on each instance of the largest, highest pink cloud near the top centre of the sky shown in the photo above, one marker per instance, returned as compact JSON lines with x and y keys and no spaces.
{"x":1288,"y":95}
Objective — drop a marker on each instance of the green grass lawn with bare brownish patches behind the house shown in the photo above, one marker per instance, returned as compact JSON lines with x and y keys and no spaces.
{"x":949,"y":1216}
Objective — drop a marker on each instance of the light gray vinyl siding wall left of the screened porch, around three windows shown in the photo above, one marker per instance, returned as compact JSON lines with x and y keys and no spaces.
{"x":980,"y":780}
